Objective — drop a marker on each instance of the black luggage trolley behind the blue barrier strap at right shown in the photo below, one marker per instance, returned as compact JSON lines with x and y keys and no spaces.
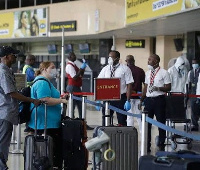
{"x":176,"y":105}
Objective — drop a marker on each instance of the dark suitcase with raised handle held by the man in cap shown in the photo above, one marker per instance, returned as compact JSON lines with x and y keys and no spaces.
{"x":38,"y":149}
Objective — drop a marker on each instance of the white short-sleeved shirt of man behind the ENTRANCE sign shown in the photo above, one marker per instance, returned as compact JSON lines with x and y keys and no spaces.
{"x":122,"y":71}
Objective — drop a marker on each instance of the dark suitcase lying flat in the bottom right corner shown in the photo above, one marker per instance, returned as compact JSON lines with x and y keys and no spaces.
{"x":167,"y":163}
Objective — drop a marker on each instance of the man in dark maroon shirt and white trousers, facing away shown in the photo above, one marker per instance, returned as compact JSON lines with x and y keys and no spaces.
{"x":139,"y":77}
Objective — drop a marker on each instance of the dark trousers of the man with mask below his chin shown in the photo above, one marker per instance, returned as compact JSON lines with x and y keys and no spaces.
{"x":156,"y":106}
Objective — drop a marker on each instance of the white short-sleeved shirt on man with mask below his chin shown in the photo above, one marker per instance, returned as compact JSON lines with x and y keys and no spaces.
{"x":162,"y":77}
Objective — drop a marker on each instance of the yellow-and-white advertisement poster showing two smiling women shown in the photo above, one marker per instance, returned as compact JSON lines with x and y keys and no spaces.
{"x":20,"y":24}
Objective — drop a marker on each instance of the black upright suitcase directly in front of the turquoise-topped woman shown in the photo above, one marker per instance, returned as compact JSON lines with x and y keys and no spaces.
{"x":74,"y":136}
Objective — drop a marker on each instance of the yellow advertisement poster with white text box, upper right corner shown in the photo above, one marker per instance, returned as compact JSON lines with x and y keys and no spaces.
{"x":138,"y":10}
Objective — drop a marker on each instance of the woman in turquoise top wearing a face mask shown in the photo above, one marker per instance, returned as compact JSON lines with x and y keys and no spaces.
{"x":45,"y":91}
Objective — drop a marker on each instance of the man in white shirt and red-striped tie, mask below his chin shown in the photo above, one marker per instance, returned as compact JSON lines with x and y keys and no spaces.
{"x":157,"y":82}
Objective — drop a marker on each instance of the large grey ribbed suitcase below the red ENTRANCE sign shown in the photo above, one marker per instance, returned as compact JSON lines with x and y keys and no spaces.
{"x":124,"y":141}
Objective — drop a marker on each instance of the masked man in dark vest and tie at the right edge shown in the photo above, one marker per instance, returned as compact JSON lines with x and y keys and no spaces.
{"x":194,"y":88}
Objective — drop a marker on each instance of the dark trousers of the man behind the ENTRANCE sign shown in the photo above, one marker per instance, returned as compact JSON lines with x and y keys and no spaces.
{"x":119,"y":104}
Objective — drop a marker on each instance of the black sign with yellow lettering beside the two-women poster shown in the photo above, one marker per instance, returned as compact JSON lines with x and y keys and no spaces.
{"x":68,"y":26}
